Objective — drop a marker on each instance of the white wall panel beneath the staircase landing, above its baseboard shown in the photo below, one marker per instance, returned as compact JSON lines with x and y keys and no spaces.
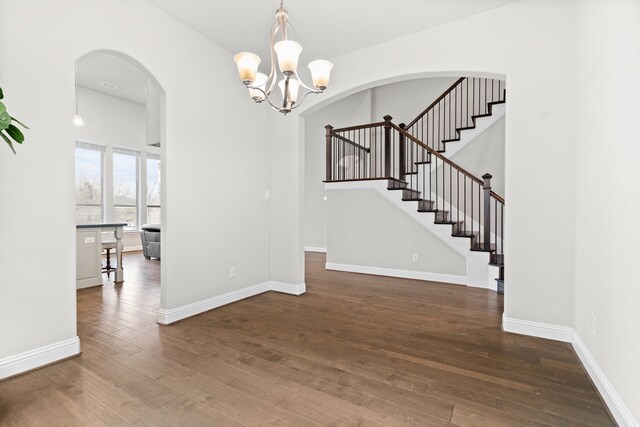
{"x":365,"y":229}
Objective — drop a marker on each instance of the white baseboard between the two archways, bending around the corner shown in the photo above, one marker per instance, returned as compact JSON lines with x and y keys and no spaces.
{"x":167,"y":317}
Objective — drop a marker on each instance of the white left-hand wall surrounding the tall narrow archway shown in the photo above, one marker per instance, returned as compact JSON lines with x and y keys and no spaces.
{"x":214,"y":214}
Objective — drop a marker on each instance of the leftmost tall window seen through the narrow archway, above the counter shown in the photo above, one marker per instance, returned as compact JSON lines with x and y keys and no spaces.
{"x":89,"y":167}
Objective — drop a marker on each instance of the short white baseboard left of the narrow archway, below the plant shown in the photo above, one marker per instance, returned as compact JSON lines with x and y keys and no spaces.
{"x":32,"y":359}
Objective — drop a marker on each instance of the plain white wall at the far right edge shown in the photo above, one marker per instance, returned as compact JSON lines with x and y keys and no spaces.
{"x":608,"y":200}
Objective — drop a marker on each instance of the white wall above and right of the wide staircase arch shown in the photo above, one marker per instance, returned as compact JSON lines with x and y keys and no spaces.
{"x":534,"y":47}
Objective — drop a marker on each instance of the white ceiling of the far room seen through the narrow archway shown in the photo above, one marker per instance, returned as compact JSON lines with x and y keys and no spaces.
{"x":96,"y":68}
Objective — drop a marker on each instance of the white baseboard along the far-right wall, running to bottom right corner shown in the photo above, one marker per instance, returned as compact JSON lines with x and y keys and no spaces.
{"x":617,"y":407}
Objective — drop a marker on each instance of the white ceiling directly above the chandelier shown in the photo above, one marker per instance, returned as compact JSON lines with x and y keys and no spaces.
{"x":325,"y":28}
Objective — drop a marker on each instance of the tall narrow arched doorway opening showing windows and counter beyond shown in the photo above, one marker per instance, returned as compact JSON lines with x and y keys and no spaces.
{"x":119,"y":137}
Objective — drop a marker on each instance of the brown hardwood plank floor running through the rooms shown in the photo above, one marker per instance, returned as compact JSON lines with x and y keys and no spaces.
{"x":354,"y":350}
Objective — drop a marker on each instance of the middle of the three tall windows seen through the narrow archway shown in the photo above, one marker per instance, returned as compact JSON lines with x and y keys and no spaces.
{"x":125,"y":187}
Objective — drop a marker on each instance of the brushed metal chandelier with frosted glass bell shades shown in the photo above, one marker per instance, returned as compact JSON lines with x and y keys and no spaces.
{"x":286,"y":52}
